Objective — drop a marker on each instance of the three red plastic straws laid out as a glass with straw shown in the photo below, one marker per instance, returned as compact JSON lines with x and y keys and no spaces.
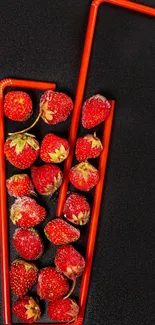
{"x":72,"y":139}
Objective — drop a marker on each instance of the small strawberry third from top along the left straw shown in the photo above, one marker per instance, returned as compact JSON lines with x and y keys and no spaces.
{"x":20,"y":185}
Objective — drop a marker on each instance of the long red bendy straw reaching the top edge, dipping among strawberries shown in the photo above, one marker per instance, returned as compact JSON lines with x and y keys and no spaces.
{"x":82,"y":81}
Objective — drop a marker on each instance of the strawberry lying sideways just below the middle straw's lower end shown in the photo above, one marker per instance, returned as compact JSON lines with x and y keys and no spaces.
{"x":60,"y":232}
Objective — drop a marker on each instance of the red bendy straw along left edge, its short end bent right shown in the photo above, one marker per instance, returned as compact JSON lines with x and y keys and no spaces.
{"x":4,"y":224}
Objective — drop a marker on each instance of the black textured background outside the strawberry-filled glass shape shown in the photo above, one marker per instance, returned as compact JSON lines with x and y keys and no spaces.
{"x":43,"y":40}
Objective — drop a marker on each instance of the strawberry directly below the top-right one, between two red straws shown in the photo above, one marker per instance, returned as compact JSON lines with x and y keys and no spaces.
{"x":87,"y":147}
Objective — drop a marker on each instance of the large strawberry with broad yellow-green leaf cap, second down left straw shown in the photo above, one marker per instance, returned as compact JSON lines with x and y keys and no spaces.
{"x":21,"y":150}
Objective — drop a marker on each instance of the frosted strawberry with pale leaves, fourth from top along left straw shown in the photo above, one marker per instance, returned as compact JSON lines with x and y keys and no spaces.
{"x":26,"y":212}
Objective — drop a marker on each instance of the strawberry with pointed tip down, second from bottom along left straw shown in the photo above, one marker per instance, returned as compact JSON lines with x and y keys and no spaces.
{"x":23,"y":276}
